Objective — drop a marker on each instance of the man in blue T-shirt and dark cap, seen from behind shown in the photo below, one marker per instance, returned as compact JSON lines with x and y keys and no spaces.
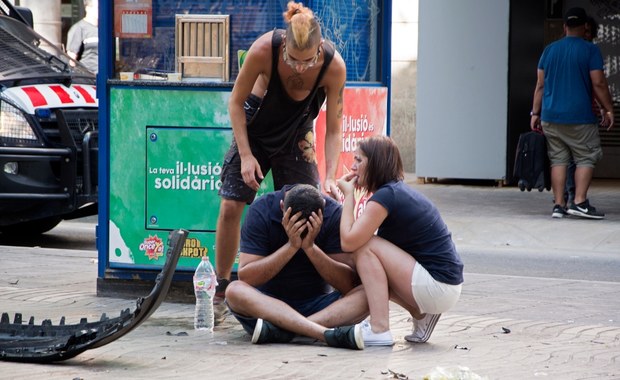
{"x":570,"y":73}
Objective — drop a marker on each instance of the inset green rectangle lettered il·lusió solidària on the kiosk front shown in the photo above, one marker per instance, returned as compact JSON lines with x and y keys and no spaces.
{"x":183,"y":167}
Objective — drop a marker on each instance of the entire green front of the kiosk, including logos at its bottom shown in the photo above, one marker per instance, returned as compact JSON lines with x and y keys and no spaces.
{"x":165,"y":168}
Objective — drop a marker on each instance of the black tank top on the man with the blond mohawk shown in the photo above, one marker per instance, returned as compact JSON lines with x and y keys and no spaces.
{"x":280,"y":118}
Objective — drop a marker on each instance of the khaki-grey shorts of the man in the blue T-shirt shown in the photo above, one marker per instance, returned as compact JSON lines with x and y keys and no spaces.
{"x":581,"y":142}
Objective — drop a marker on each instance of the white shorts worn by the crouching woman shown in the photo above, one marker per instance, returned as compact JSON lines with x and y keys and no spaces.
{"x":432,"y":296}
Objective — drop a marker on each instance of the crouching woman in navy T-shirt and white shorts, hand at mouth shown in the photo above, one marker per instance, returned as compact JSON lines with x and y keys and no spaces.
{"x":403,"y":250}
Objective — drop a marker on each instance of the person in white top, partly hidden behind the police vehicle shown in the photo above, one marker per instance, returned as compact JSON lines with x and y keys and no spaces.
{"x":83,"y":37}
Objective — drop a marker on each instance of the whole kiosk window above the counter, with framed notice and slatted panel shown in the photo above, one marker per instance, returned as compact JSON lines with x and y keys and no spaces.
{"x":147,"y":35}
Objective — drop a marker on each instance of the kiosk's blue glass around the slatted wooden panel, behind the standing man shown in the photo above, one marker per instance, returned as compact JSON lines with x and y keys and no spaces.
{"x":353,"y":26}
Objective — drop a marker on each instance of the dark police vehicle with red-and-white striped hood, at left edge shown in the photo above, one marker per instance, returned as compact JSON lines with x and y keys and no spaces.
{"x":48,"y":130}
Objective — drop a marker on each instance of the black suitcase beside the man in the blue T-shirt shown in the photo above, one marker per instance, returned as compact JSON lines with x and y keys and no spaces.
{"x":532,"y":168}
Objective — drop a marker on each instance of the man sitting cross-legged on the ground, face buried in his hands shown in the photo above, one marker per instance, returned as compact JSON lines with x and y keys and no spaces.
{"x":290,"y":262}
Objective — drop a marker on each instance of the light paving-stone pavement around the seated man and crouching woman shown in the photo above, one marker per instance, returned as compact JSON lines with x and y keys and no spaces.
{"x":503,"y":327}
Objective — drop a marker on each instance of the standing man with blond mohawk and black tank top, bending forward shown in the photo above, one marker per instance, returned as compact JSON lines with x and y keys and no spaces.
{"x":286,"y":77}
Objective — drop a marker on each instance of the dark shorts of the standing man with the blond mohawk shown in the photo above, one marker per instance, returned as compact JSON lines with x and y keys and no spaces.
{"x":293,"y":166}
